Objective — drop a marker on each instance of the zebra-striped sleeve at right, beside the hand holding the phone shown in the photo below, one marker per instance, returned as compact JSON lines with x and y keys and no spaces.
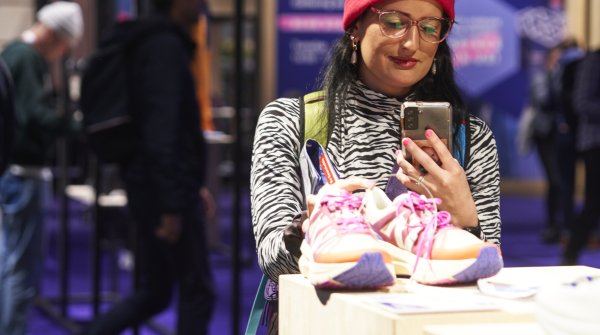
{"x":483,"y":175}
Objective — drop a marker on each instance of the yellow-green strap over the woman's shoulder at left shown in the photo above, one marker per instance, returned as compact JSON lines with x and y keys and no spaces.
{"x":311,"y":126}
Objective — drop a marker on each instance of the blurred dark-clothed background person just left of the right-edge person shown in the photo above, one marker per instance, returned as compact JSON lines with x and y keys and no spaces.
{"x":553,"y":136}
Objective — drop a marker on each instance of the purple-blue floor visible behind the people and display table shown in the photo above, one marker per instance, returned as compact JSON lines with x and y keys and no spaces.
{"x":522,"y":222}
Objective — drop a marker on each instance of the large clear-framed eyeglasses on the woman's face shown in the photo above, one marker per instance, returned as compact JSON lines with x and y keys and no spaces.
{"x":395,"y":25}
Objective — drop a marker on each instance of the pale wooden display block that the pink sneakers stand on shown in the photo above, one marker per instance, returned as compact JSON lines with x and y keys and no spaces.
{"x":303,"y":309}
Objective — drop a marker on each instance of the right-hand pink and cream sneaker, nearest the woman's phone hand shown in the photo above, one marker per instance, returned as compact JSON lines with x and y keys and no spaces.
{"x":423,"y":242}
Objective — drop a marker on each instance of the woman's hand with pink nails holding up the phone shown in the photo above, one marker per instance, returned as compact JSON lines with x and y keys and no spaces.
{"x":446,"y":179}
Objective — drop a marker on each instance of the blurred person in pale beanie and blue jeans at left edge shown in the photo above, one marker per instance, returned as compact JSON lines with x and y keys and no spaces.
{"x":57,"y":29}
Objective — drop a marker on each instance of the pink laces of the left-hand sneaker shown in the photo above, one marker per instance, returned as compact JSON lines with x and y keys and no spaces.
{"x":344,"y":204}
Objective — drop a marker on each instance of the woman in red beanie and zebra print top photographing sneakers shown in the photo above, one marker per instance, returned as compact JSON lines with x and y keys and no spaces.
{"x":389,"y":54}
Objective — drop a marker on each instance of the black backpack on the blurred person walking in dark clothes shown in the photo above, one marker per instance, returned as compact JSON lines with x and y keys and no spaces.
{"x":106,"y":92}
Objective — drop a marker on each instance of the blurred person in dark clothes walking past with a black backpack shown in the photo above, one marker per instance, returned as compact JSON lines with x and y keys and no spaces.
{"x":163,"y":179}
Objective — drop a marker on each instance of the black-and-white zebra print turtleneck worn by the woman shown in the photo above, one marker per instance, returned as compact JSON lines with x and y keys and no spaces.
{"x":365,"y":136}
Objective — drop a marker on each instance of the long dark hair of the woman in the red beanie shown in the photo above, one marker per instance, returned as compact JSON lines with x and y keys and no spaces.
{"x":339,"y":74}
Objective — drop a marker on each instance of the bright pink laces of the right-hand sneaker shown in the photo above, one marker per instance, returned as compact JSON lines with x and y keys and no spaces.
{"x":418,"y":204}
